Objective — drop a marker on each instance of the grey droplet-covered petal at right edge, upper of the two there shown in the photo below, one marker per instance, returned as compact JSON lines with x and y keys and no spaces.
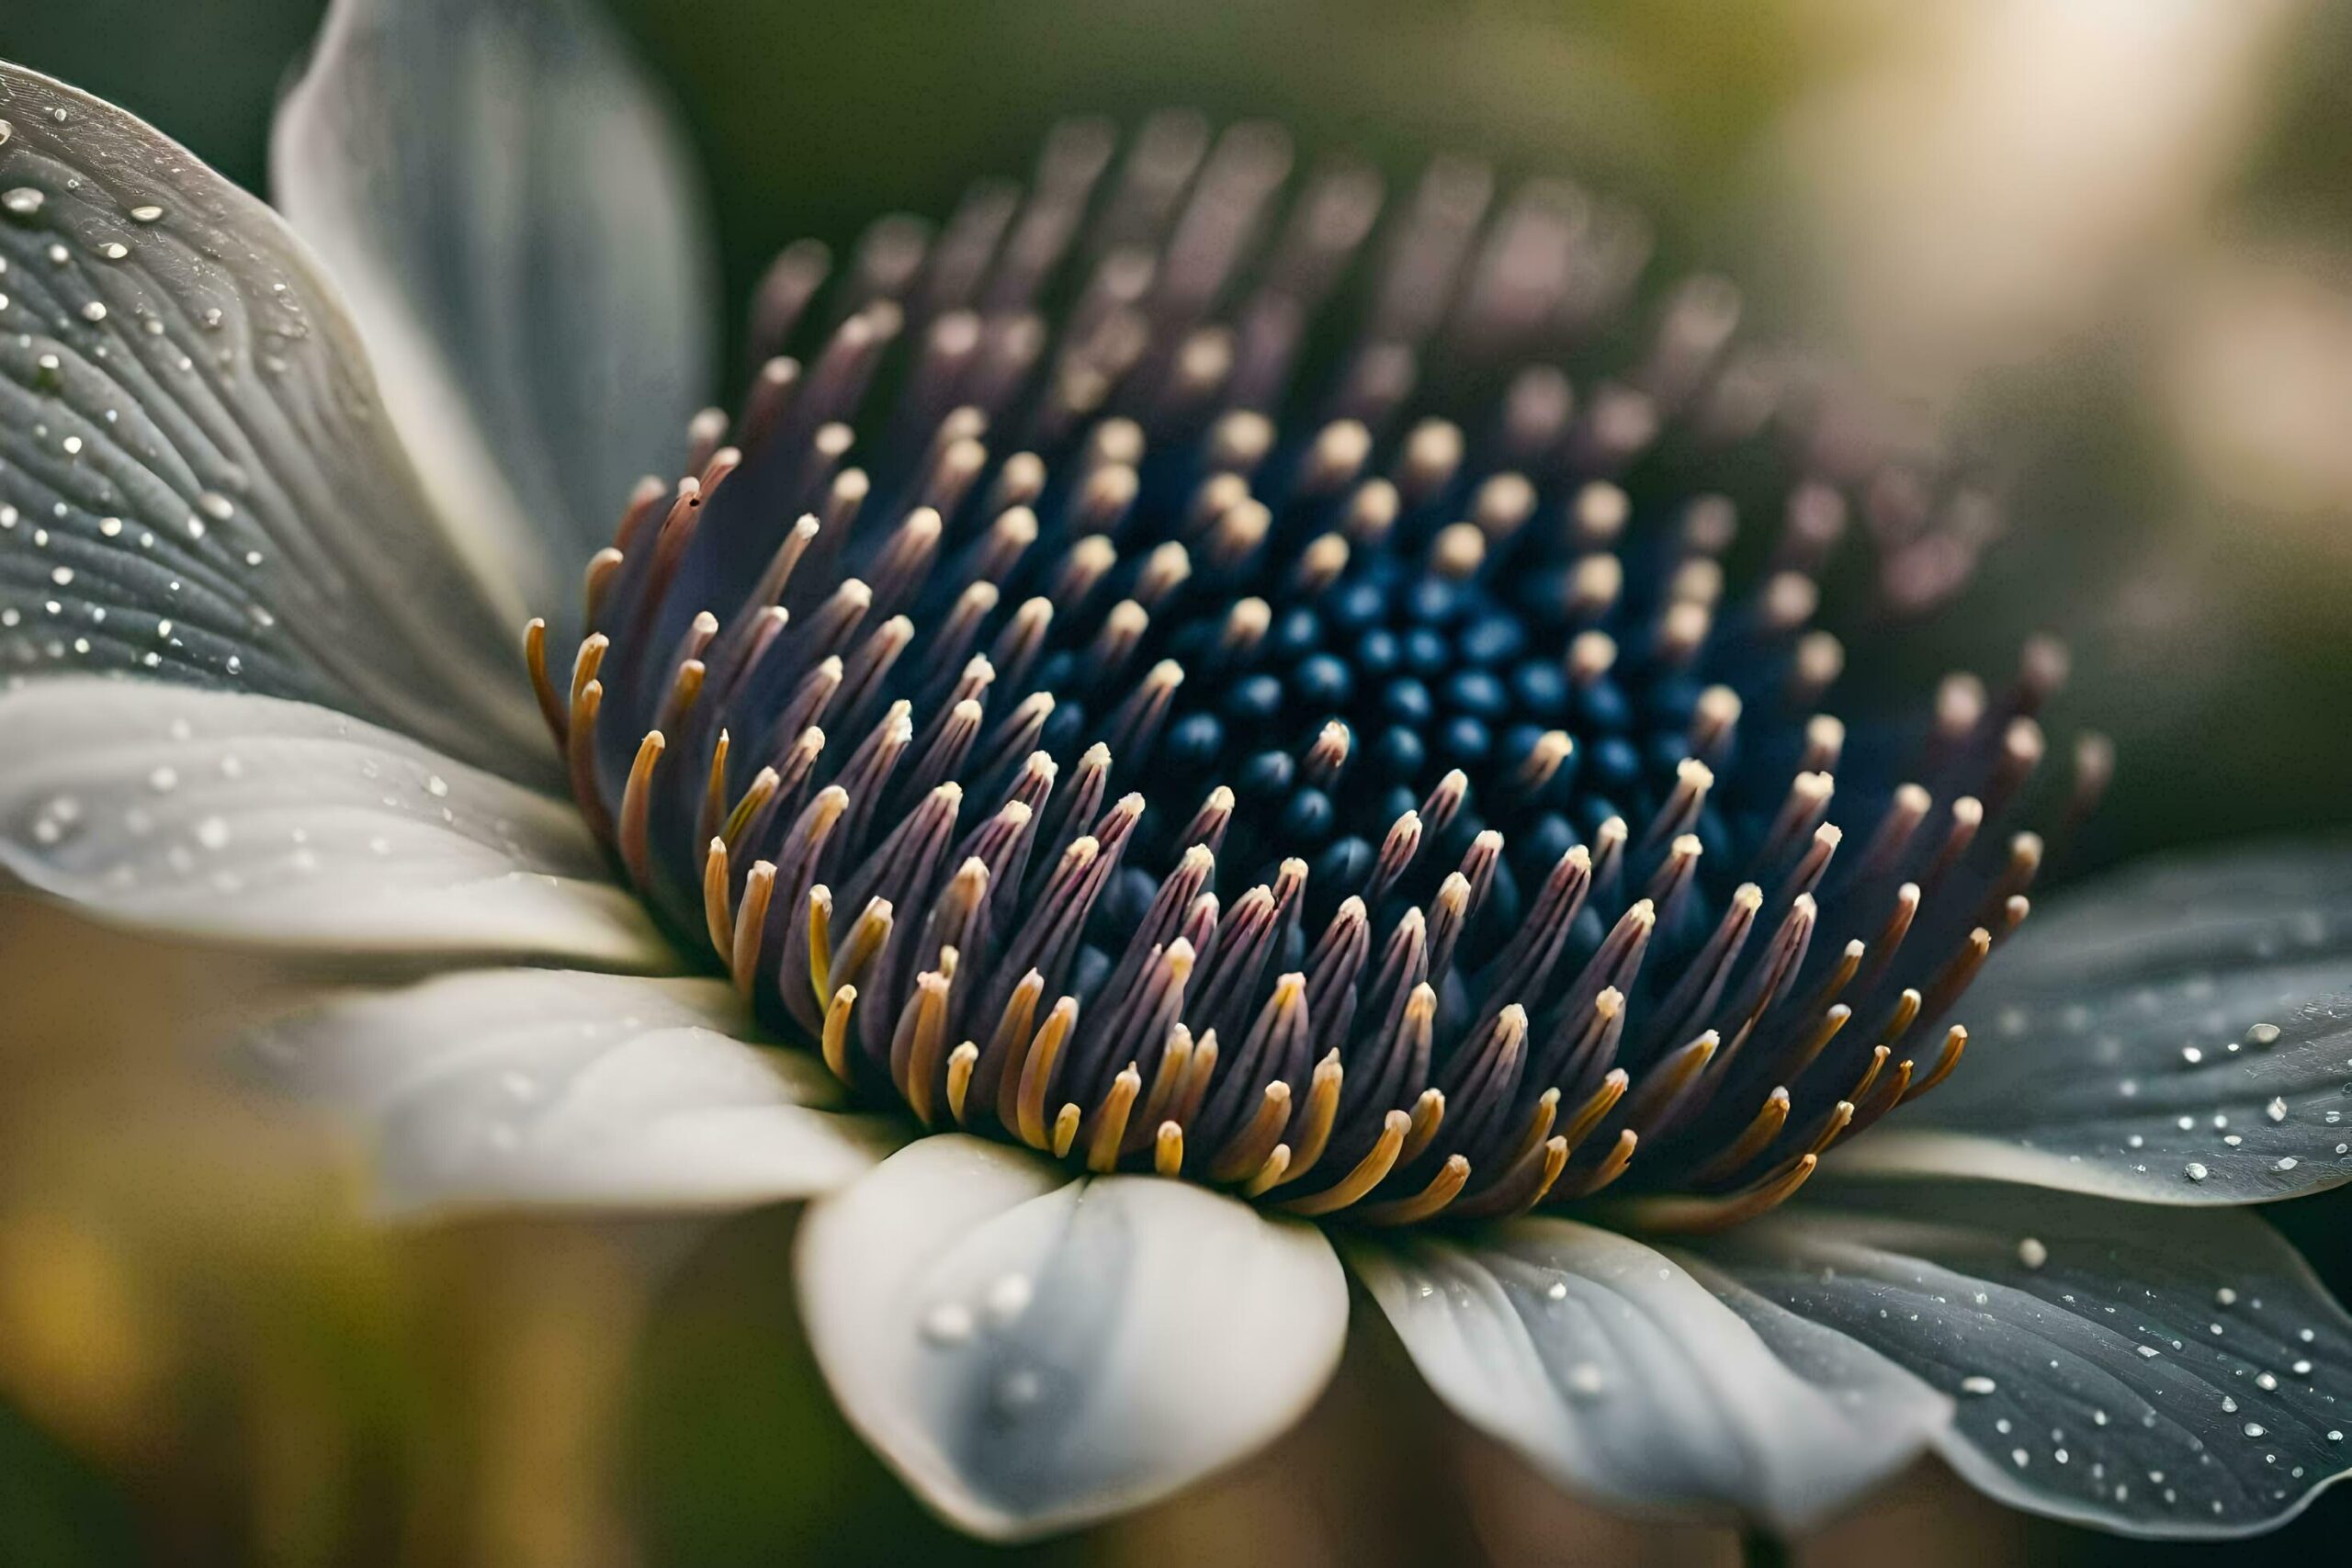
{"x":2177,"y":1036}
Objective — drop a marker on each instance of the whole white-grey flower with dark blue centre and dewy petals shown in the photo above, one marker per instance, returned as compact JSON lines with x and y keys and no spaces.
{"x":1196,"y":850}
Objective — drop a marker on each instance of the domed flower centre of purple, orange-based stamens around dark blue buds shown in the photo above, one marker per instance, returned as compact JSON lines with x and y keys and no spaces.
{"x":1389,"y":822}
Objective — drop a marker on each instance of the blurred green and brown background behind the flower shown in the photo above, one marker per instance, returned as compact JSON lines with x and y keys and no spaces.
{"x":2111,"y":241}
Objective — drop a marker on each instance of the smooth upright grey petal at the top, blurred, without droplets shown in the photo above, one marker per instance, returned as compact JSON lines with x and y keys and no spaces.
{"x":521,"y":236}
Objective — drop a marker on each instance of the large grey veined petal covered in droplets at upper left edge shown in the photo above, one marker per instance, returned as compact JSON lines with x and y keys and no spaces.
{"x":196,"y":474}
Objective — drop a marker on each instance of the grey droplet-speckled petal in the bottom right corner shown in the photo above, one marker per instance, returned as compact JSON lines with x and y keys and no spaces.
{"x":2127,"y":1367}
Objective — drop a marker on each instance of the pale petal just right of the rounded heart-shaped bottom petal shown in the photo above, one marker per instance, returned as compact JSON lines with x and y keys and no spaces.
{"x":1629,"y":1381}
